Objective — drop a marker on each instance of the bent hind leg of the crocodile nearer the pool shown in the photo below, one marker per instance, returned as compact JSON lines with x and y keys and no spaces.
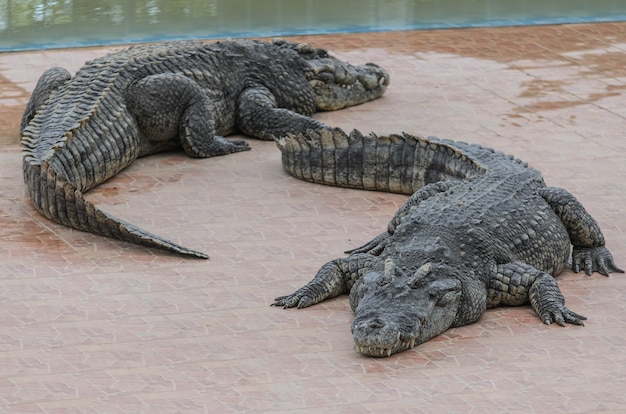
{"x":169,"y":106}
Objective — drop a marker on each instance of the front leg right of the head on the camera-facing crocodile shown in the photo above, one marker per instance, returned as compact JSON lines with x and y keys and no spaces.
{"x":517,"y":283}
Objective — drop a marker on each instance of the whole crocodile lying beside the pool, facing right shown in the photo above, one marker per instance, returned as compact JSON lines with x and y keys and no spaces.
{"x":79,"y":131}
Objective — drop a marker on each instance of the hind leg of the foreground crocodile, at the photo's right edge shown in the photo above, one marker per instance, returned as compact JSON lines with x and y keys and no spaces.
{"x":589,"y":252}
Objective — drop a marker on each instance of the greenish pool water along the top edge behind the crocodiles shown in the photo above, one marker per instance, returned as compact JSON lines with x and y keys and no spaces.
{"x":38,"y":24}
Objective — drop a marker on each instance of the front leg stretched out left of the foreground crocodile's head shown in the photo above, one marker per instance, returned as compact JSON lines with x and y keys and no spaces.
{"x":334,"y":278}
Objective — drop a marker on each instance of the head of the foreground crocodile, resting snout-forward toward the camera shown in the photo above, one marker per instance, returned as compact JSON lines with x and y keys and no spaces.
{"x":394,"y":312}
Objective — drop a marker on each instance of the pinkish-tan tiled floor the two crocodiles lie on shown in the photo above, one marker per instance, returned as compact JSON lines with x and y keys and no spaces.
{"x":90,"y":325}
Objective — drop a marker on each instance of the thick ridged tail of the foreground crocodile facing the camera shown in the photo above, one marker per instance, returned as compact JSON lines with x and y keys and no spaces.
{"x":397,"y":163}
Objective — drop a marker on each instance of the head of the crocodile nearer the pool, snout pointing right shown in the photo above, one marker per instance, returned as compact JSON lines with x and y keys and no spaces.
{"x":337,"y":84}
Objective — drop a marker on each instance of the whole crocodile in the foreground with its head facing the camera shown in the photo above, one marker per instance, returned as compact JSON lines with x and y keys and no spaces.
{"x":480,"y":229}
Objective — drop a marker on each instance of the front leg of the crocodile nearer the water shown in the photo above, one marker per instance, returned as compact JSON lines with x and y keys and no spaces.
{"x":258,"y":115}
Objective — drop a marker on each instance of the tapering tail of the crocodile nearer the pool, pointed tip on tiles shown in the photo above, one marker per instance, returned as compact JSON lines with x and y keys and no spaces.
{"x":60,"y":201}
